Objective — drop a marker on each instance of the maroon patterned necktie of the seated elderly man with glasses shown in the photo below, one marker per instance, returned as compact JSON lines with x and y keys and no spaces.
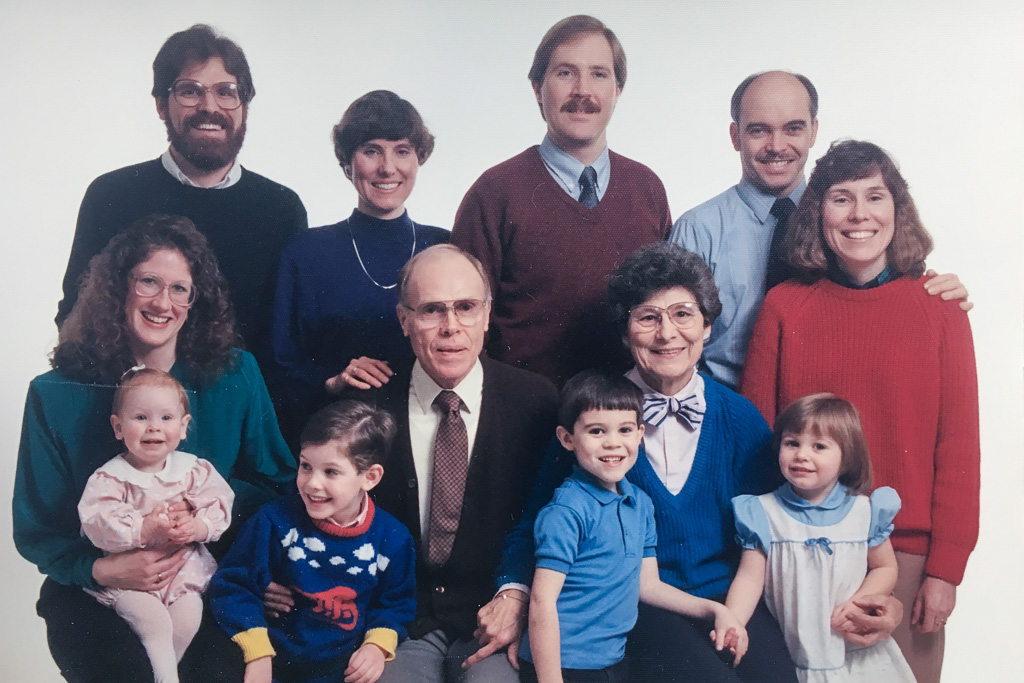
{"x":451,"y":465}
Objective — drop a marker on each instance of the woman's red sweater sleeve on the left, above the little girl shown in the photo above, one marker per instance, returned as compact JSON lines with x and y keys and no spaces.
{"x":761,"y":370}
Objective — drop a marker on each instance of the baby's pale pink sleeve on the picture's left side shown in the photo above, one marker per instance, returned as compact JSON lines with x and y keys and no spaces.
{"x":108,"y":521}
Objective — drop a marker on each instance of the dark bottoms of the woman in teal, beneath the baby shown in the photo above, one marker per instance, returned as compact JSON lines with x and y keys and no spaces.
{"x":92,"y":645}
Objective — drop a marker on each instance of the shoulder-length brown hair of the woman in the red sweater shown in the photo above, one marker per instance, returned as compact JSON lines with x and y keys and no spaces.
{"x":805,"y":247}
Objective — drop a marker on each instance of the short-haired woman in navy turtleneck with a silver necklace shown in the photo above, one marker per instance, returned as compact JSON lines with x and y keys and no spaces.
{"x":334,"y":320}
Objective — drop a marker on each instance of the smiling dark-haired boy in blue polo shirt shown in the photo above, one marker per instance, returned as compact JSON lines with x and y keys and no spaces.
{"x":595,"y":547}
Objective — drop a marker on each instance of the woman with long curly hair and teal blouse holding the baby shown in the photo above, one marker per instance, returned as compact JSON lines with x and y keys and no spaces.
{"x":153,"y":297}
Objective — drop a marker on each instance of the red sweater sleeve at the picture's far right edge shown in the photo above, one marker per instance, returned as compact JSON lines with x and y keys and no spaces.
{"x":958,"y":456}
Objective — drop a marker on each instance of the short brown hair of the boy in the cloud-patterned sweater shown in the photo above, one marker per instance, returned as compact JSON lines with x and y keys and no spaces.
{"x":365,"y":433}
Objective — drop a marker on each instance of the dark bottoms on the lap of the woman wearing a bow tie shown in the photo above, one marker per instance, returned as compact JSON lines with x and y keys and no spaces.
{"x":667,"y":648}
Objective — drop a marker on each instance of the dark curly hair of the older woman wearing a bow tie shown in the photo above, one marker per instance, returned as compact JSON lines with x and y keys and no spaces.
{"x":659,"y":267}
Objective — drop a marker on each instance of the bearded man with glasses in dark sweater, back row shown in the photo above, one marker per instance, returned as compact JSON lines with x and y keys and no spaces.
{"x":202,"y":87}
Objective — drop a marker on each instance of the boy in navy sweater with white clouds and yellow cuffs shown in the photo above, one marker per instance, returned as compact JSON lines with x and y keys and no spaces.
{"x":350,"y":566}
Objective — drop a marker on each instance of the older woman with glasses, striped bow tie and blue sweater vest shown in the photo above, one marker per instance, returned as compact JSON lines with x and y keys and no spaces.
{"x":703,"y":446}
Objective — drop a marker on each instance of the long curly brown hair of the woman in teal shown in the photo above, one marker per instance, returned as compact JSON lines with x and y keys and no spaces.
{"x":94,"y":343}
